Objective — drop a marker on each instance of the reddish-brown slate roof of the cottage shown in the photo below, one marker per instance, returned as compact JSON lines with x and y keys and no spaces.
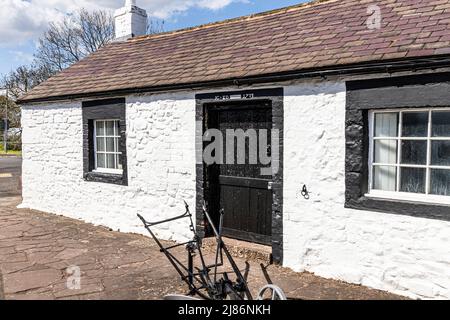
{"x":317,"y":34}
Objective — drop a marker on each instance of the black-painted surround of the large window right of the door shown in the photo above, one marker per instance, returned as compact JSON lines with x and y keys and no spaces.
{"x":414,"y":93}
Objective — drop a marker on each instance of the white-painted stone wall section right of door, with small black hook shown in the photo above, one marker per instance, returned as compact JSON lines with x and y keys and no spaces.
{"x":405,"y":255}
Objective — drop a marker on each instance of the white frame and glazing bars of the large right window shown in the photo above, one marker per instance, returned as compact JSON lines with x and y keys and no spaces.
{"x":398,"y":195}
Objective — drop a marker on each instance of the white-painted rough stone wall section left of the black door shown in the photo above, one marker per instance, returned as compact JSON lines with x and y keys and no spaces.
{"x":161,"y":165}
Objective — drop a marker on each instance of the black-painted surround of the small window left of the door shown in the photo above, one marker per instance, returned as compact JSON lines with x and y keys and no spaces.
{"x":104,"y":110}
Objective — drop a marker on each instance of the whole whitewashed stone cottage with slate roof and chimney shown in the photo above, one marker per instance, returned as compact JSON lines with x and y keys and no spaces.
{"x":359,"y":94}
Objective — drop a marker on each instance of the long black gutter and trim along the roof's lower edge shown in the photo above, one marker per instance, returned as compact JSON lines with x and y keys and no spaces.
{"x":365,"y":68}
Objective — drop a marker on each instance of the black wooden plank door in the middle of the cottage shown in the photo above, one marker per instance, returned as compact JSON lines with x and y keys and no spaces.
{"x":240,"y":189}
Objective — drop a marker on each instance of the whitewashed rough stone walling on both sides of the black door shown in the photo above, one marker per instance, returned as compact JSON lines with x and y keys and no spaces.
{"x":405,"y":255}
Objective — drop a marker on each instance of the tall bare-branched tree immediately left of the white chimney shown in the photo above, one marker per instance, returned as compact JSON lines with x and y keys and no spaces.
{"x":72,"y":39}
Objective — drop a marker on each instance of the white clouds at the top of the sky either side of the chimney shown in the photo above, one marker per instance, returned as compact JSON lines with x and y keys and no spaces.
{"x":23,"y":20}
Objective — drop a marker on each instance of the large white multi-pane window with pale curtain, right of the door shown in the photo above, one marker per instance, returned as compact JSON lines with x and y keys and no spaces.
{"x":409,"y":154}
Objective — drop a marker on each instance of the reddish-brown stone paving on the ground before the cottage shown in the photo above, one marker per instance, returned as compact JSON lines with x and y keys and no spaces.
{"x":37,"y":248}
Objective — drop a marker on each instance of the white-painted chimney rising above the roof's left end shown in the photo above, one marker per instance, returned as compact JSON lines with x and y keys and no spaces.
{"x":131,"y":21}
